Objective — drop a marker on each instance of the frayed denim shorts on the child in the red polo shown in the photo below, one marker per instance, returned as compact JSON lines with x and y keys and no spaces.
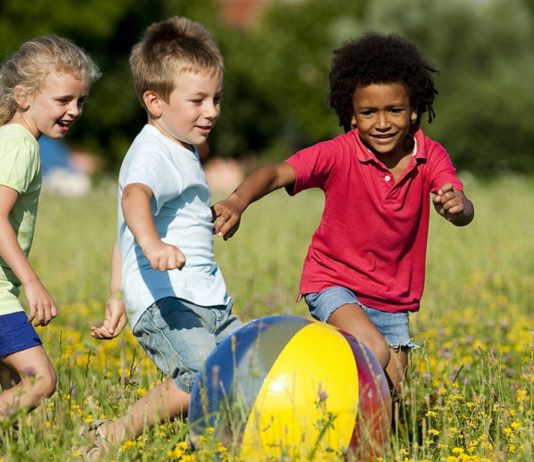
{"x":393,"y":326}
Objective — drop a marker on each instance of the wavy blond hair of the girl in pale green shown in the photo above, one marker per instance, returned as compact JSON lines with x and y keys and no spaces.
{"x":29,"y":65}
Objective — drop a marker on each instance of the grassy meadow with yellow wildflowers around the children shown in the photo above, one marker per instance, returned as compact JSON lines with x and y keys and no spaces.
{"x":469,"y":395}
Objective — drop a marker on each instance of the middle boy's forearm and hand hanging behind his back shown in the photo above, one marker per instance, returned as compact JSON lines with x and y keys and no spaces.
{"x":115,"y":317}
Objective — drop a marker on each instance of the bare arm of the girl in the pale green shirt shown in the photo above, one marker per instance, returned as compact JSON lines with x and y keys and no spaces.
{"x":42,"y":306}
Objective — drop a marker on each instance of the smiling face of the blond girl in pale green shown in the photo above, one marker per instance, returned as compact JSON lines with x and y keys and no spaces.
{"x":54,"y":109}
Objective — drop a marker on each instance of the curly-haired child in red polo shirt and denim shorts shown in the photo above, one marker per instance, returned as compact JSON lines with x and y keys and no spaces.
{"x":365,"y":267}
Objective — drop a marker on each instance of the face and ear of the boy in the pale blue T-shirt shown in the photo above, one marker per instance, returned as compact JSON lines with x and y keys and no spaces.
{"x":193,"y":108}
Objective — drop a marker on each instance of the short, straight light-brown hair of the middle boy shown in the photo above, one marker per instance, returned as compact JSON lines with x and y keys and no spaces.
{"x":169,"y":47}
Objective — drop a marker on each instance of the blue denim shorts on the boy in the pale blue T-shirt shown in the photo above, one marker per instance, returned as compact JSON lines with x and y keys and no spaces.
{"x":179,"y":335}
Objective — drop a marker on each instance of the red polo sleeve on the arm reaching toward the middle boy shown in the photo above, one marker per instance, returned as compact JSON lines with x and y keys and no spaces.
{"x":313,"y":166}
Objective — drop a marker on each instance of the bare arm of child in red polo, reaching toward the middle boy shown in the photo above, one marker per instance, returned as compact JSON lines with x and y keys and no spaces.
{"x":227,"y":213}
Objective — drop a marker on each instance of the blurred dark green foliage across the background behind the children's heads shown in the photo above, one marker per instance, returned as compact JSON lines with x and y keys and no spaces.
{"x":276,"y":83}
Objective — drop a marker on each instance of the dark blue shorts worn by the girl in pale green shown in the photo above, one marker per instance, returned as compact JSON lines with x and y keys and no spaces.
{"x":16,"y":333}
